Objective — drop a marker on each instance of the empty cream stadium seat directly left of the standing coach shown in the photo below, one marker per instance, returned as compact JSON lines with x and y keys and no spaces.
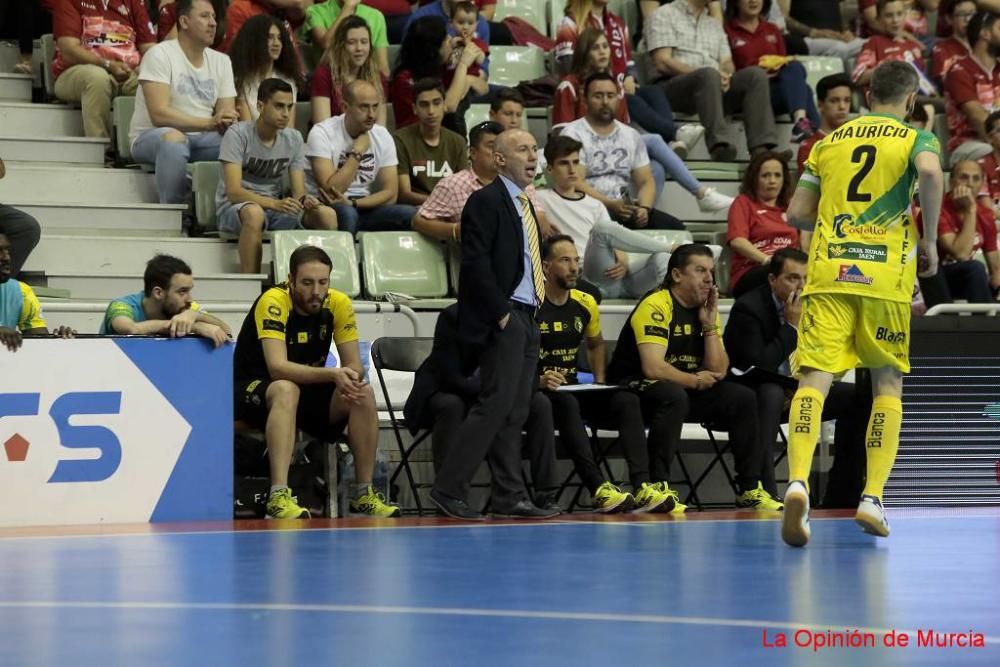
{"x":405,"y":263}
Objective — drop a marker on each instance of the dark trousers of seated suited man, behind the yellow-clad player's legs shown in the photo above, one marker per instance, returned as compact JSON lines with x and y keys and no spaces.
{"x":850,"y":405}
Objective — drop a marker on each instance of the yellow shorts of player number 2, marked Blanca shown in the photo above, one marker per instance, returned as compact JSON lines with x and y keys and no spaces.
{"x":839,"y":332}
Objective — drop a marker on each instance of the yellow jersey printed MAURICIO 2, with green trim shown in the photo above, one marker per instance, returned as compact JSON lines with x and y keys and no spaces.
{"x":865,"y":239}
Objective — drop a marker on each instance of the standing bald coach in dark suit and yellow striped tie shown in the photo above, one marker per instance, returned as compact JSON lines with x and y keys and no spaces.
{"x":500,"y":289}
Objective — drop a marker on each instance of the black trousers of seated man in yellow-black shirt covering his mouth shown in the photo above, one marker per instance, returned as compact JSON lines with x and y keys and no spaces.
{"x":666,"y":406}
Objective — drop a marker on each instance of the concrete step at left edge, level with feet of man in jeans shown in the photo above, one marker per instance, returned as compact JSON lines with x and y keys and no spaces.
{"x":34,"y":182}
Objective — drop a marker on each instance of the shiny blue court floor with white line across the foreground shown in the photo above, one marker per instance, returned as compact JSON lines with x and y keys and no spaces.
{"x":585,"y":591}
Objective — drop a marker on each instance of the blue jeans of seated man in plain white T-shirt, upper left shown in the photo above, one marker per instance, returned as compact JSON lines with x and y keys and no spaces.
{"x":170,"y":159}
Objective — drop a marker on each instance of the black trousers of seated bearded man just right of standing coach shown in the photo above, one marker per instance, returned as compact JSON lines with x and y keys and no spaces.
{"x":618,"y":410}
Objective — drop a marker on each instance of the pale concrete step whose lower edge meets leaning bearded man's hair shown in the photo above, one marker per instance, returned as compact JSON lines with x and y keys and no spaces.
{"x":128,"y":255}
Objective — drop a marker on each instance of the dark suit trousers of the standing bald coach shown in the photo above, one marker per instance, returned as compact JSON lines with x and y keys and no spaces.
{"x":493,"y":425}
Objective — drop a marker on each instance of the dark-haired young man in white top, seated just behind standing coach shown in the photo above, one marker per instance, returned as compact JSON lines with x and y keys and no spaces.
{"x":602,"y":241}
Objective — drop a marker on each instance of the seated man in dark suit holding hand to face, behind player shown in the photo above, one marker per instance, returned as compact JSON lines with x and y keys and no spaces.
{"x":762,"y":333}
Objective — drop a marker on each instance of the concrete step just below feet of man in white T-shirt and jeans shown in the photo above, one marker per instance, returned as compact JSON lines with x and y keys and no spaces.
{"x":87,"y":219}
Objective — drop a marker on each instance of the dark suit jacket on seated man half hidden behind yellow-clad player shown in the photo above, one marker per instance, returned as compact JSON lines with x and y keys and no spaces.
{"x":755,"y":335}
